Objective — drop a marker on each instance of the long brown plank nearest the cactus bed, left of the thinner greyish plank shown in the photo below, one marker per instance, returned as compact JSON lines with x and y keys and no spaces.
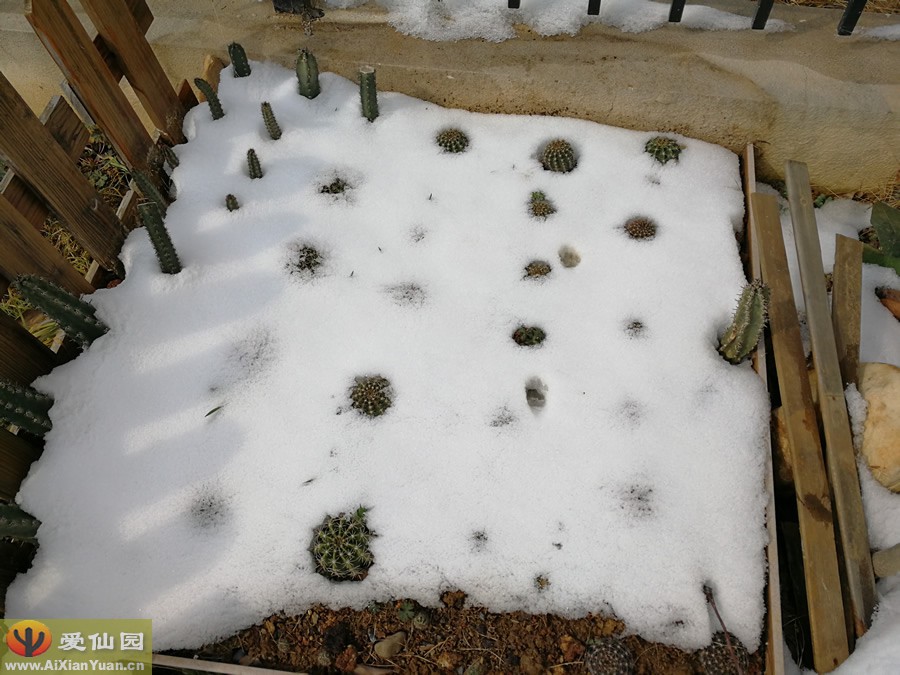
{"x":823,"y":586}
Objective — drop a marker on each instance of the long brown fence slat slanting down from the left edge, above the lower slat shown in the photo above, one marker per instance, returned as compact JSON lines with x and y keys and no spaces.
{"x":38,"y":159}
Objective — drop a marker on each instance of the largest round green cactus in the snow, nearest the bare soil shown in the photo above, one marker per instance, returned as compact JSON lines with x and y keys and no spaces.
{"x":340,"y":547}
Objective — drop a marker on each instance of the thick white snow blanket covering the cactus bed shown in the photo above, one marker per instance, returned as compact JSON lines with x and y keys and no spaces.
{"x":640,"y":480}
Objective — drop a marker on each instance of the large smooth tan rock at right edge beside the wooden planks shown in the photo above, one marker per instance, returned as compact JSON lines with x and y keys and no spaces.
{"x":879,"y":384}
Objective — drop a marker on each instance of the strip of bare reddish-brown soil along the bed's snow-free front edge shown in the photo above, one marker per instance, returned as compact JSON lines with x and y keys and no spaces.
{"x":450,"y":639}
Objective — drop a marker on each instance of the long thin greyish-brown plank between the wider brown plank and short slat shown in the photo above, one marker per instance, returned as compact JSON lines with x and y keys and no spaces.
{"x":839,"y":450}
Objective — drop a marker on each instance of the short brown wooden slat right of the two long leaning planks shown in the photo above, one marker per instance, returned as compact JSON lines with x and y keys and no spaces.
{"x":846,"y":296}
